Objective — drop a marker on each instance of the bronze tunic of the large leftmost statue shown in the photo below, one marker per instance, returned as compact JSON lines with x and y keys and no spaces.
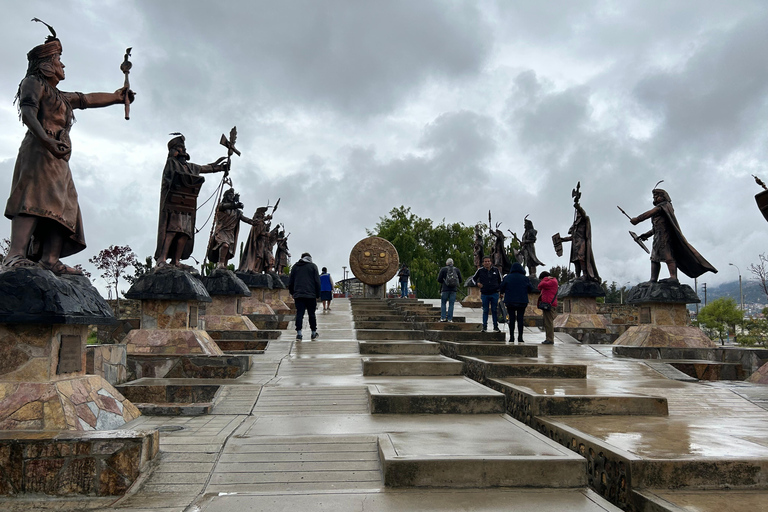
{"x":42,"y":184}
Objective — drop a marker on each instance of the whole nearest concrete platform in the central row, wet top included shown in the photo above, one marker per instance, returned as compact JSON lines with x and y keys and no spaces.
{"x":504,"y":454}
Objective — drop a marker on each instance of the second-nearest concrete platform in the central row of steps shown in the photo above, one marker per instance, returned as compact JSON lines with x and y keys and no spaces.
{"x":435,"y":395}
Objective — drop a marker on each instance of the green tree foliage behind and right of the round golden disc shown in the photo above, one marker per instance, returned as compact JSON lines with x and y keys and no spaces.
{"x":425,"y":247}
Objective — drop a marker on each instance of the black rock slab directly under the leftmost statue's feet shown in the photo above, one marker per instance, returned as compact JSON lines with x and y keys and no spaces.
{"x":34,"y":295}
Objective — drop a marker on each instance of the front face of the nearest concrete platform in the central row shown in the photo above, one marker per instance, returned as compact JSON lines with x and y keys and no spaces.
{"x":482,"y":471}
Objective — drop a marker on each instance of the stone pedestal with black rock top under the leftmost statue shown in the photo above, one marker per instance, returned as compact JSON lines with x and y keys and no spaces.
{"x":43,"y":328}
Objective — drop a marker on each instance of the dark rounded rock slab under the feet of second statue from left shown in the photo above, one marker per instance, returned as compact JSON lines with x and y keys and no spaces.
{"x":168,"y":283}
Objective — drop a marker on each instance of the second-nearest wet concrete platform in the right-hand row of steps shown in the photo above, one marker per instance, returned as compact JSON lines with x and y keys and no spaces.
{"x":528,"y":398}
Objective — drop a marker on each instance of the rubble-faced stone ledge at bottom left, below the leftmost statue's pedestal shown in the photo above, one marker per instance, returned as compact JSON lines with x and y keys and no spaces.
{"x":65,"y":463}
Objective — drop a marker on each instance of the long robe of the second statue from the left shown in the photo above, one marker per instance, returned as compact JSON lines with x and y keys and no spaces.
{"x":174,"y":216}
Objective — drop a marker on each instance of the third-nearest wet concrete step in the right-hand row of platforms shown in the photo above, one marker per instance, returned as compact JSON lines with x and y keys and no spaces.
{"x":481,"y":368}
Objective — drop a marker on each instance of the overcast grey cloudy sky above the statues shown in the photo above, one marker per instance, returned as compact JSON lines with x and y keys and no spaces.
{"x":346,"y":109}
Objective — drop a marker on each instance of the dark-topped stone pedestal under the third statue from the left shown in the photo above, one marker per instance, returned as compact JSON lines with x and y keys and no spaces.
{"x":225,"y":312}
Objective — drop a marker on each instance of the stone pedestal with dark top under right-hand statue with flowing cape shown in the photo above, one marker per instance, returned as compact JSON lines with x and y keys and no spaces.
{"x":663,"y":318}
